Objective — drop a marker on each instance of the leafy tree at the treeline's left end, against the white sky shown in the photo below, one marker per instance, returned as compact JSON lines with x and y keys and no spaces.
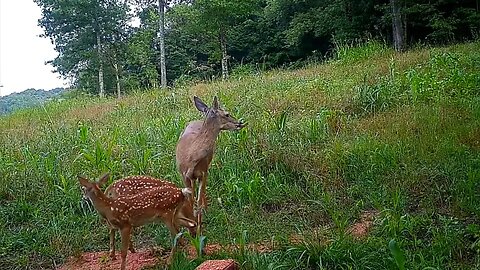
{"x":80,"y":31}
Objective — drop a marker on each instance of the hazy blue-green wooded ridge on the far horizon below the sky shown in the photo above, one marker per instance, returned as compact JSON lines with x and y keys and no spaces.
{"x":28,"y":98}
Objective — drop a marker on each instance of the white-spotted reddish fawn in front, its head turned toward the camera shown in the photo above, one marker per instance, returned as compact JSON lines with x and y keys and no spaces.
{"x":164,"y":203}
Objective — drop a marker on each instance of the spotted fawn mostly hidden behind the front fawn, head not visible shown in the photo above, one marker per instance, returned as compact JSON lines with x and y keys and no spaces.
{"x":133,"y":185}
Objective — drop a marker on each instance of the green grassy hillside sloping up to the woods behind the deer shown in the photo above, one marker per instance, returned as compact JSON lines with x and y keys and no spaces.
{"x":393,"y":135}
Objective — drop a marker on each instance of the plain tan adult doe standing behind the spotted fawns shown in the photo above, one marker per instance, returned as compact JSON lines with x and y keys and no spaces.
{"x":196,"y":146}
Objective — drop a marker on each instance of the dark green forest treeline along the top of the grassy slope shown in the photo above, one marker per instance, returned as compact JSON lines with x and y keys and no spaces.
{"x":116,"y":46}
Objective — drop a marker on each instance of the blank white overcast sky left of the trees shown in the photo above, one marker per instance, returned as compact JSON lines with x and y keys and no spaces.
{"x":22,"y":52}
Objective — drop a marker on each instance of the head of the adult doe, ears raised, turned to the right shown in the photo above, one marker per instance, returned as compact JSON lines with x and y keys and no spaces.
{"x":218,"y":115}
